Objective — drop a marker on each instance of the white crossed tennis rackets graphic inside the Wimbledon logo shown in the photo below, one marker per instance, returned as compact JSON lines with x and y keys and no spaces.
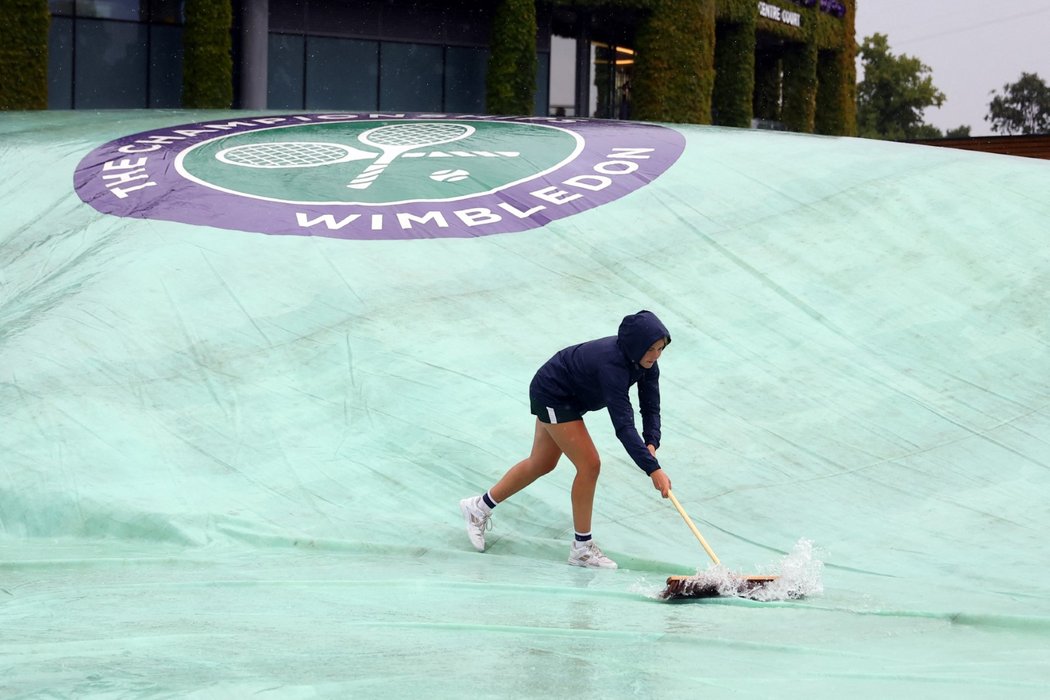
{"x":393,"y":141}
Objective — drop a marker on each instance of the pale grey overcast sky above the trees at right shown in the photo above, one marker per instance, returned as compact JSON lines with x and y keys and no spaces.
{"x":973,"y":47}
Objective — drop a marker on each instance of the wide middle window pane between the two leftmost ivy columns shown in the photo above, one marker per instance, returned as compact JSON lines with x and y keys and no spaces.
{"x":111,"y":66}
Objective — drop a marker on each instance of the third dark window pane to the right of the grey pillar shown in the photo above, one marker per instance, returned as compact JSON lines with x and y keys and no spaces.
{"x":410,"y":78}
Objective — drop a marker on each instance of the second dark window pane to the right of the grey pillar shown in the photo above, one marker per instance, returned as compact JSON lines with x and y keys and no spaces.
{"x":342,"y":74}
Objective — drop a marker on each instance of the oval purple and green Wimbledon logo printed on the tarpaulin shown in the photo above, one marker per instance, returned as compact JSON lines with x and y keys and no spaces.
{"x":375,"y":177}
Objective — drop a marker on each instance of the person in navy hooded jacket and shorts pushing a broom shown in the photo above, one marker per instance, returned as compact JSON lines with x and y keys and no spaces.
{"x":591,"y":376}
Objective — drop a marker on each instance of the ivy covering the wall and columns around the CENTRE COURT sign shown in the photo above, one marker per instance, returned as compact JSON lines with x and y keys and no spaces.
{"x":699,"y":61}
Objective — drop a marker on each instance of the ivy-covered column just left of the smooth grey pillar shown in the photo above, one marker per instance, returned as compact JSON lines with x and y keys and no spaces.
{"x":207,"y":55}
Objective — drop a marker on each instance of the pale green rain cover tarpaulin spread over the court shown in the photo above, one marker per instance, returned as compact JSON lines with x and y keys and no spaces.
{"x":250,"y":364}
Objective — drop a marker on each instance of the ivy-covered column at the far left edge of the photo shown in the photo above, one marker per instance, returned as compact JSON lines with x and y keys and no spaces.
{"x":24,"y":55}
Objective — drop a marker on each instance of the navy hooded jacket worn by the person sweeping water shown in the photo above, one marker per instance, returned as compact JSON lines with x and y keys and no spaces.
{"x":598,"y":374}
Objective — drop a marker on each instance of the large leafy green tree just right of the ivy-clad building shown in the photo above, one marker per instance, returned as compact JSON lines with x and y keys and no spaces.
{"x":895,"y":92}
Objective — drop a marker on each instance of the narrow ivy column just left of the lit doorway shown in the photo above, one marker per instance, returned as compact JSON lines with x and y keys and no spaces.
{"x":511,"y":81}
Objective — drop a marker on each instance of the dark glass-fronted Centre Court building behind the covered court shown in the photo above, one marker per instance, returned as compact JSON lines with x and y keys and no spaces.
{"x":782,"y":63}
